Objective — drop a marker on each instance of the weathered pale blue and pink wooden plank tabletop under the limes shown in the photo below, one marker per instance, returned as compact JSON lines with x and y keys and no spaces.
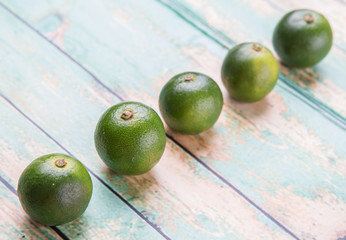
{"x":274,"y":169}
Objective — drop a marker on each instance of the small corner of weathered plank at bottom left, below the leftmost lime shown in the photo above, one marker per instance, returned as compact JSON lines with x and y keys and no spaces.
{"x":14,"y":224}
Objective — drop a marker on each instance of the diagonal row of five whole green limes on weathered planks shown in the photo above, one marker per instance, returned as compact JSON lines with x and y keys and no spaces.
{"x":130,"y":137}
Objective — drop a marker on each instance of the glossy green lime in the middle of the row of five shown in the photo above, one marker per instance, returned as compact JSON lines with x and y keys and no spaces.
{"x":190,"y":106}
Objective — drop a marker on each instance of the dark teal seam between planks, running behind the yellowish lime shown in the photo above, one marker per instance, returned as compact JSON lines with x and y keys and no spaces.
{"x":324,"y":110}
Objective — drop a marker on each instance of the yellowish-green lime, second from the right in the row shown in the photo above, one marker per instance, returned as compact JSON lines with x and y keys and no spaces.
{"x":249,"y":74}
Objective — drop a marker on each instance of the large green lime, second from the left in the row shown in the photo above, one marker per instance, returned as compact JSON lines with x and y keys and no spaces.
{"x":132,"y":146}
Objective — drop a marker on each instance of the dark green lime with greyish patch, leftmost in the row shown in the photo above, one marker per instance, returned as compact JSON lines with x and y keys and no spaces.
{"x":54,"y":195}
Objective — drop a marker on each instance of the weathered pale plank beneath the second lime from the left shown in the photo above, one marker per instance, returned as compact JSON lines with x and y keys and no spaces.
{"x":179,"y":195}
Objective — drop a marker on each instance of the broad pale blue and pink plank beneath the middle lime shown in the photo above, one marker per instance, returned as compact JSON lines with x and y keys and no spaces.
{"x":279,"y":141}
